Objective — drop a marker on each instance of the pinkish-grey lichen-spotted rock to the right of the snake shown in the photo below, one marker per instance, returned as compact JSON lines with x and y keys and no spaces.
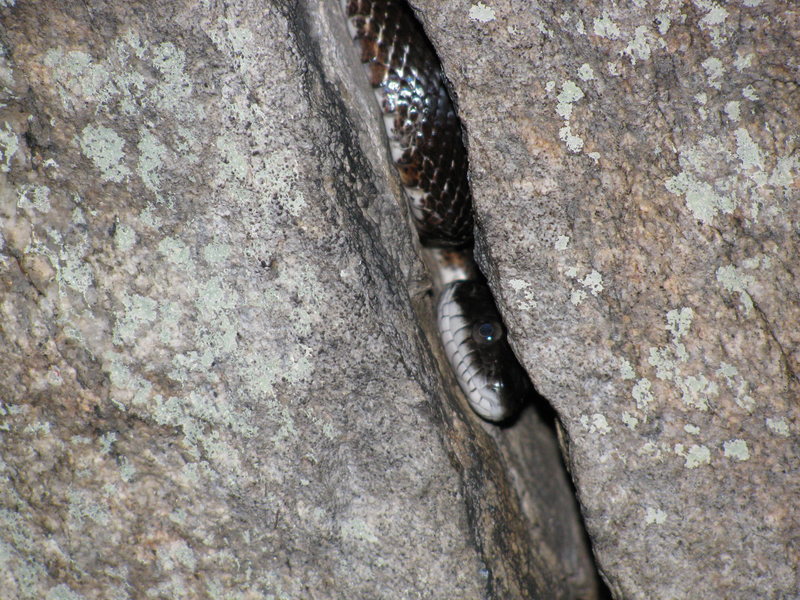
{"x":637,"y":180}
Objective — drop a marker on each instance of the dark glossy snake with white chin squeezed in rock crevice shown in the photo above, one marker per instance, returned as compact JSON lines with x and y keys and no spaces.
{"x":427,"y":149}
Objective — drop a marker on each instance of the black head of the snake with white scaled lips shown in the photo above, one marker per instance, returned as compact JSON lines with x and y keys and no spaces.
{"x":476,"y":345}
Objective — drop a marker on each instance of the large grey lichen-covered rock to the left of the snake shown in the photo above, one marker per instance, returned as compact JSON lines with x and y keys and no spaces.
{"x":213,"y":382}
